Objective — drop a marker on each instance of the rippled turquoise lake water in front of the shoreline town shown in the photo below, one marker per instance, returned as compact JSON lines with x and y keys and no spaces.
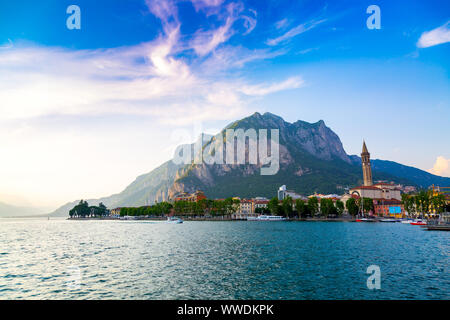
{"x":60,"y":259}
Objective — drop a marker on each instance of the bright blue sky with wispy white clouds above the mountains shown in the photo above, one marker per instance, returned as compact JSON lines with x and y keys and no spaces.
{"x":139,"y":77}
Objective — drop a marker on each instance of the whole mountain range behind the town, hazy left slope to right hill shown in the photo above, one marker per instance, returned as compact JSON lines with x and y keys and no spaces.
{"x":312,"y":159}
